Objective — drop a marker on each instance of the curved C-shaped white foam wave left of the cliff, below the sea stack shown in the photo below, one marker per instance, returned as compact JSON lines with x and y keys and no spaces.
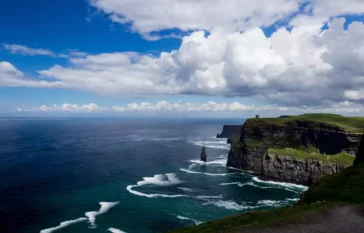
{"x":158,"y":180}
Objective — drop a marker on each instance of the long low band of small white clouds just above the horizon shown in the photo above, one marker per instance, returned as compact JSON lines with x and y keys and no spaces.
{"x":164,"y":107}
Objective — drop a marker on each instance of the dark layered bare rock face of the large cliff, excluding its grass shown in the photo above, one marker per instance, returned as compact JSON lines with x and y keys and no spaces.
{"x":257,"y":136}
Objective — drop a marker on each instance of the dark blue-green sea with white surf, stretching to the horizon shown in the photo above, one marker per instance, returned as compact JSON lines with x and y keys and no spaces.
{"x":123,"y":175}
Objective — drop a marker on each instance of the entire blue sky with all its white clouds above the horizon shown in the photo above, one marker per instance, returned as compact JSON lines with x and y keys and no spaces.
{"x":185,"y":58}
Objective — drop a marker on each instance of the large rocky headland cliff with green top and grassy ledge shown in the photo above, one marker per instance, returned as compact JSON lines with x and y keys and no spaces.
{"x":299,"y":149}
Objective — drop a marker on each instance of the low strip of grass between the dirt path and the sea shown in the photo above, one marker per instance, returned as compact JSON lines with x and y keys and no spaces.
{"x":257,"y":219}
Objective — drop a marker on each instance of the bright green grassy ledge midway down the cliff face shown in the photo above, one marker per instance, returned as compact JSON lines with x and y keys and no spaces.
{"x":341,"y":158}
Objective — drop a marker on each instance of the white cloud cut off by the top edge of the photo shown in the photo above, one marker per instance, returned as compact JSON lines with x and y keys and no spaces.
{"x":156,"y":15}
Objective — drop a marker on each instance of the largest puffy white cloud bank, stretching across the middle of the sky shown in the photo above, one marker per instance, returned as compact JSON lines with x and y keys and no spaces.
{"x":304,"y":66}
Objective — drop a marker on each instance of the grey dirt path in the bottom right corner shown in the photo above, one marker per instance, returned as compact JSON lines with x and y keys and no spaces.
{"x":340,"y":219}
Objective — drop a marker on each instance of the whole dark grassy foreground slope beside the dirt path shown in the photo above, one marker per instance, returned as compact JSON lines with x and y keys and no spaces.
{"x":345,"y":187}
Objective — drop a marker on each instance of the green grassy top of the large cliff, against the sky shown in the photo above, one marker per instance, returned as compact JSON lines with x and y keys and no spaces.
{"x":350,"y":124}
